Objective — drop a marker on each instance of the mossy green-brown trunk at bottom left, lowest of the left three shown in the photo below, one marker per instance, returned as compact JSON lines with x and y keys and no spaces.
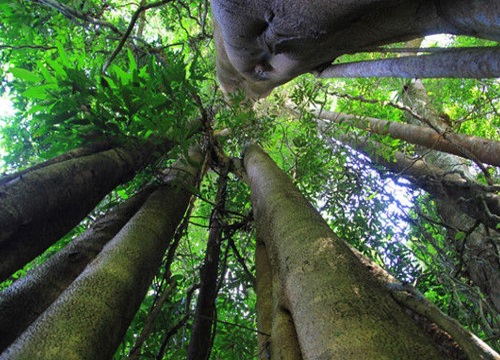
{"x":91,"y":316}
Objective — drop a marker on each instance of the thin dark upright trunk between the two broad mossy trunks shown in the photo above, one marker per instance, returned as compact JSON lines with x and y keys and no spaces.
{"x":201,"y":333}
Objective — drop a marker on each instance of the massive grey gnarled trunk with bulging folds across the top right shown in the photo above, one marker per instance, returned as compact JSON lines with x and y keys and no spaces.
{"x":267,"y":43}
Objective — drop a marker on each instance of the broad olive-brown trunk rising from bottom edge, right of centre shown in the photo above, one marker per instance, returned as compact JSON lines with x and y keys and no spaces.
{"x":338,"y":309}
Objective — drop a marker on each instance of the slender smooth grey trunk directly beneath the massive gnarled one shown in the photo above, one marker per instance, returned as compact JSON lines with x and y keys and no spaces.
{"x":470,"y":63}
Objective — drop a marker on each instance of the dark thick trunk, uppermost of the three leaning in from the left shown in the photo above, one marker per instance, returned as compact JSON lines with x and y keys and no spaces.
{"x":39,"y":207}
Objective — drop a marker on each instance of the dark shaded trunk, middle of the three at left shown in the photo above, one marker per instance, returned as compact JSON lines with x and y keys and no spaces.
{"x":30,"y":296}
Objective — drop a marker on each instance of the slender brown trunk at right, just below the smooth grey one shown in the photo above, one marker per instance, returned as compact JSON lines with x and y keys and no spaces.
{"x":484,"y":150}
